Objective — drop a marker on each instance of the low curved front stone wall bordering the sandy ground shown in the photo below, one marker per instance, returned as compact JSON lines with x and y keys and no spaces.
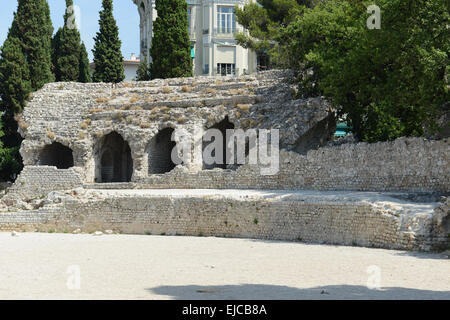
{"x":365,"y":219}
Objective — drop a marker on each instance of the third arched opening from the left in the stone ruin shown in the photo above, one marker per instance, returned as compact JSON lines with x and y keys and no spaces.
{"x":160,"y":152}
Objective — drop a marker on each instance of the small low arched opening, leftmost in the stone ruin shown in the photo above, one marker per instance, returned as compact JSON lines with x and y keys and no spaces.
{"x":56,"y":155}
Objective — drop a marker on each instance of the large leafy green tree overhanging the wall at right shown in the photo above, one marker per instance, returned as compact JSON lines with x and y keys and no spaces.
{"x":389,"y":81}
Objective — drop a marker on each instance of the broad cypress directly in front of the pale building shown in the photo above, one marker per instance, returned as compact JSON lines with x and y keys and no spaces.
{"x":171,"y":47}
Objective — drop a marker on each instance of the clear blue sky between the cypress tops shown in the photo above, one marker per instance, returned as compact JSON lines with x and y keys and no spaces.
{"x":125,"y":12}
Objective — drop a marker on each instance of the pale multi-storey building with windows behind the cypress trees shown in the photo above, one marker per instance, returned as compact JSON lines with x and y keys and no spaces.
{"x":212,"y":27}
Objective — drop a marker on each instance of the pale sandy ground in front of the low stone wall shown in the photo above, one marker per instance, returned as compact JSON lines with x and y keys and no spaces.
{"x":65,"y":266}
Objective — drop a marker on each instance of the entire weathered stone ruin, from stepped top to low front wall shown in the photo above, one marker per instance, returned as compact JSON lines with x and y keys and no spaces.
{"x":98,"y":156}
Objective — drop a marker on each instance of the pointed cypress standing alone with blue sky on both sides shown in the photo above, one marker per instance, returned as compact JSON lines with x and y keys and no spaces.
{"x":108,"y":57}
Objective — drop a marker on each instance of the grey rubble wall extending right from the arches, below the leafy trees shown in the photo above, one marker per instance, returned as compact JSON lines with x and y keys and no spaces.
{"x":407,"y":164}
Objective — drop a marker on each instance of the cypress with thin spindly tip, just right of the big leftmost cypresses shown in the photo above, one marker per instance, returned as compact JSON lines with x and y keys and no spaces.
{"x":66,"y":48}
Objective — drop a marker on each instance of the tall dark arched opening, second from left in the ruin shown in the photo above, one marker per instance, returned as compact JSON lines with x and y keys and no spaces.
{"x":115,"y":161}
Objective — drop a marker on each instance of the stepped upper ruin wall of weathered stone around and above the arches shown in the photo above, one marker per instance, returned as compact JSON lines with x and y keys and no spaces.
{"x":79,"y":116}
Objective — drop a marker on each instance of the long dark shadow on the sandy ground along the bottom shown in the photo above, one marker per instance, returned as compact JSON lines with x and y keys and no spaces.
{"x":272,"y":292}
